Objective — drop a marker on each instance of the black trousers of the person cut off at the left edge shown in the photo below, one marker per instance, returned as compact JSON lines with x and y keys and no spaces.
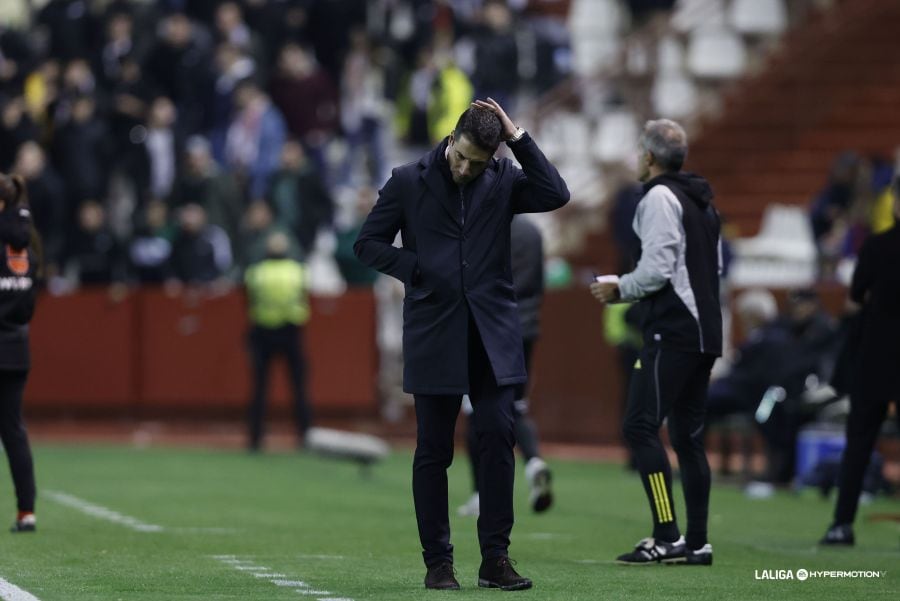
{"x":15,"y":437}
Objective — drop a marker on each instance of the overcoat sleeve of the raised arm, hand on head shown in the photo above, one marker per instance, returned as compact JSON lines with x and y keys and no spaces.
{"x":538,"y":187}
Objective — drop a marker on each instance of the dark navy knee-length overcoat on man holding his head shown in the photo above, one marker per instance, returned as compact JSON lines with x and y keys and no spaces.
{"x":453,"y":270}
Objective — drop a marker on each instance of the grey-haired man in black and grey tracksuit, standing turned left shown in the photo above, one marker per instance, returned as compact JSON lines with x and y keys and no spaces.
{"x":676,"y":283}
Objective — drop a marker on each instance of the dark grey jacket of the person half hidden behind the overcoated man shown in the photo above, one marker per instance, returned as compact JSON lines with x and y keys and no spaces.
{"x":528,"y":273}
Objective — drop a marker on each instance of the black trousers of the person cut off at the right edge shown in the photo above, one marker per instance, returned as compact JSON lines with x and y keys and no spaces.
{"x":863,"y":425}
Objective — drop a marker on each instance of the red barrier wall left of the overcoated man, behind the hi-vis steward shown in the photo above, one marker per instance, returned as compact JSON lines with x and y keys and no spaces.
{"x":154,"y":351}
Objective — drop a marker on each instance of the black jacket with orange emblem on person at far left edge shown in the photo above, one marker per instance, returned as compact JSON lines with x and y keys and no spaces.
{"x":18,"y":287}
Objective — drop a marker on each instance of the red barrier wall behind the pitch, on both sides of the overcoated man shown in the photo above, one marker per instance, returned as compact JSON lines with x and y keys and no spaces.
{"x":152,"y":352}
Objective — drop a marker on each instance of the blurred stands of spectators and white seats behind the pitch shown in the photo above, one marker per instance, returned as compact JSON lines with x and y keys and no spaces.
{"x":162,"y":139}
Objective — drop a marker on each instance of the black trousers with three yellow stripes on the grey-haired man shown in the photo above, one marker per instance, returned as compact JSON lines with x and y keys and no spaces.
{"x":671,"y":384}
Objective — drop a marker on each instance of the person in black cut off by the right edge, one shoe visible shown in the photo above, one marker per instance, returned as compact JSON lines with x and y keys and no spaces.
{"x":875,"y":292}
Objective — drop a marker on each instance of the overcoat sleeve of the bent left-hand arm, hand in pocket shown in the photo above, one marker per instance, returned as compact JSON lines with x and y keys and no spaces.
{"x":374,"y":245}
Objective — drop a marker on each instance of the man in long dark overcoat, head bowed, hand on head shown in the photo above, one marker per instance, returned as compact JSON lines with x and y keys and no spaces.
{"x":461,"y":330}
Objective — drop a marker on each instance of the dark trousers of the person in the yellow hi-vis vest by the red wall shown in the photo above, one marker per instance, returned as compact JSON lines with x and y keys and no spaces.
{"x":265,"y":345}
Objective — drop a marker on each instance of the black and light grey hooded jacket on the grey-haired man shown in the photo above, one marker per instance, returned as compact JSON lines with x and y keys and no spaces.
{"x":677,"y":275}
